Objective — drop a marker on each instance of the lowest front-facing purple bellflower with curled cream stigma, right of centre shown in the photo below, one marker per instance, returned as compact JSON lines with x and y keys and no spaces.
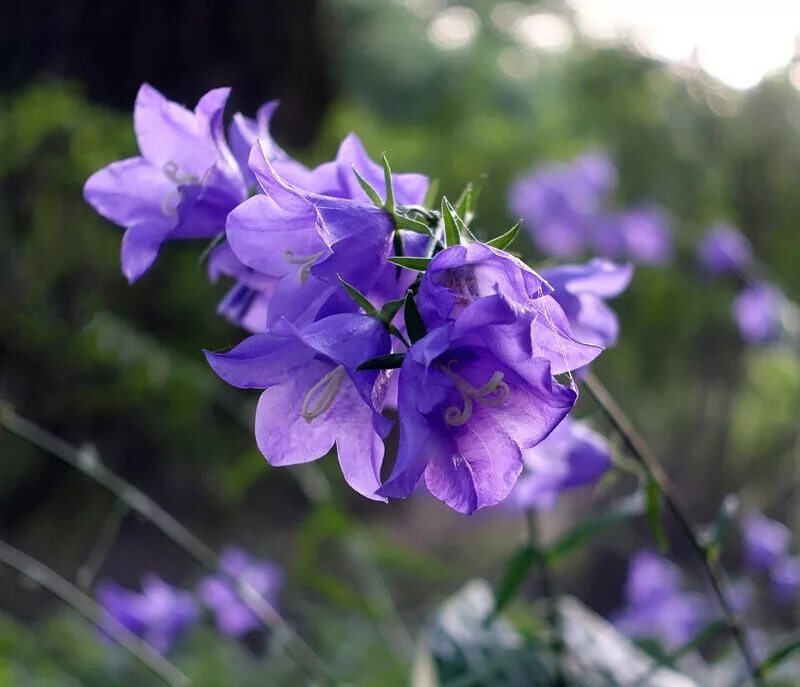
{"x":473,"y":396}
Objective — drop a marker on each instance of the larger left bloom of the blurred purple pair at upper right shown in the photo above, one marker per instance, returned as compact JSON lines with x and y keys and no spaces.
{"x":558,"y":203}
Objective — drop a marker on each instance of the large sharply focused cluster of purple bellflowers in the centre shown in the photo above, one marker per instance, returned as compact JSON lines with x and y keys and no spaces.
{"x":358,"y":300}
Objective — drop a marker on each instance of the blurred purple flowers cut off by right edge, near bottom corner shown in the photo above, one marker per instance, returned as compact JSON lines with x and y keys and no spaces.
{"x":766,"y":545}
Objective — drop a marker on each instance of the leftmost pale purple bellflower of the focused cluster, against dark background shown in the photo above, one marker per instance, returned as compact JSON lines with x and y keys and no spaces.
{"x":175,"y":189}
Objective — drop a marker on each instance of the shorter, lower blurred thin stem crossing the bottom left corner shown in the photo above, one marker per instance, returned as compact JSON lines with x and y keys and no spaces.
{"x":93,"y":612}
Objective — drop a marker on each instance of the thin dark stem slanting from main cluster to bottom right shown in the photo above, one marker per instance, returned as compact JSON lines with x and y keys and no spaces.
{"x":640,"y":450}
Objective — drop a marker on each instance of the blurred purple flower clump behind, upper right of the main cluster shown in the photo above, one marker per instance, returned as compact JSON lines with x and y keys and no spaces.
{"x":566,"y":208}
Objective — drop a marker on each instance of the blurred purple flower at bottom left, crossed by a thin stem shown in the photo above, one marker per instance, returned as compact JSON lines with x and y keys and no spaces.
{"x":231,"y":614}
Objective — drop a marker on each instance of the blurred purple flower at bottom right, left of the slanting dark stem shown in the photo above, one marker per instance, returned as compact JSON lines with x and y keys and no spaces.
{"x":656,"y":606}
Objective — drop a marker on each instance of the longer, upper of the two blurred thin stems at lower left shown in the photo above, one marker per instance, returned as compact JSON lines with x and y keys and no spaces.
{"x":87,"y":461}
